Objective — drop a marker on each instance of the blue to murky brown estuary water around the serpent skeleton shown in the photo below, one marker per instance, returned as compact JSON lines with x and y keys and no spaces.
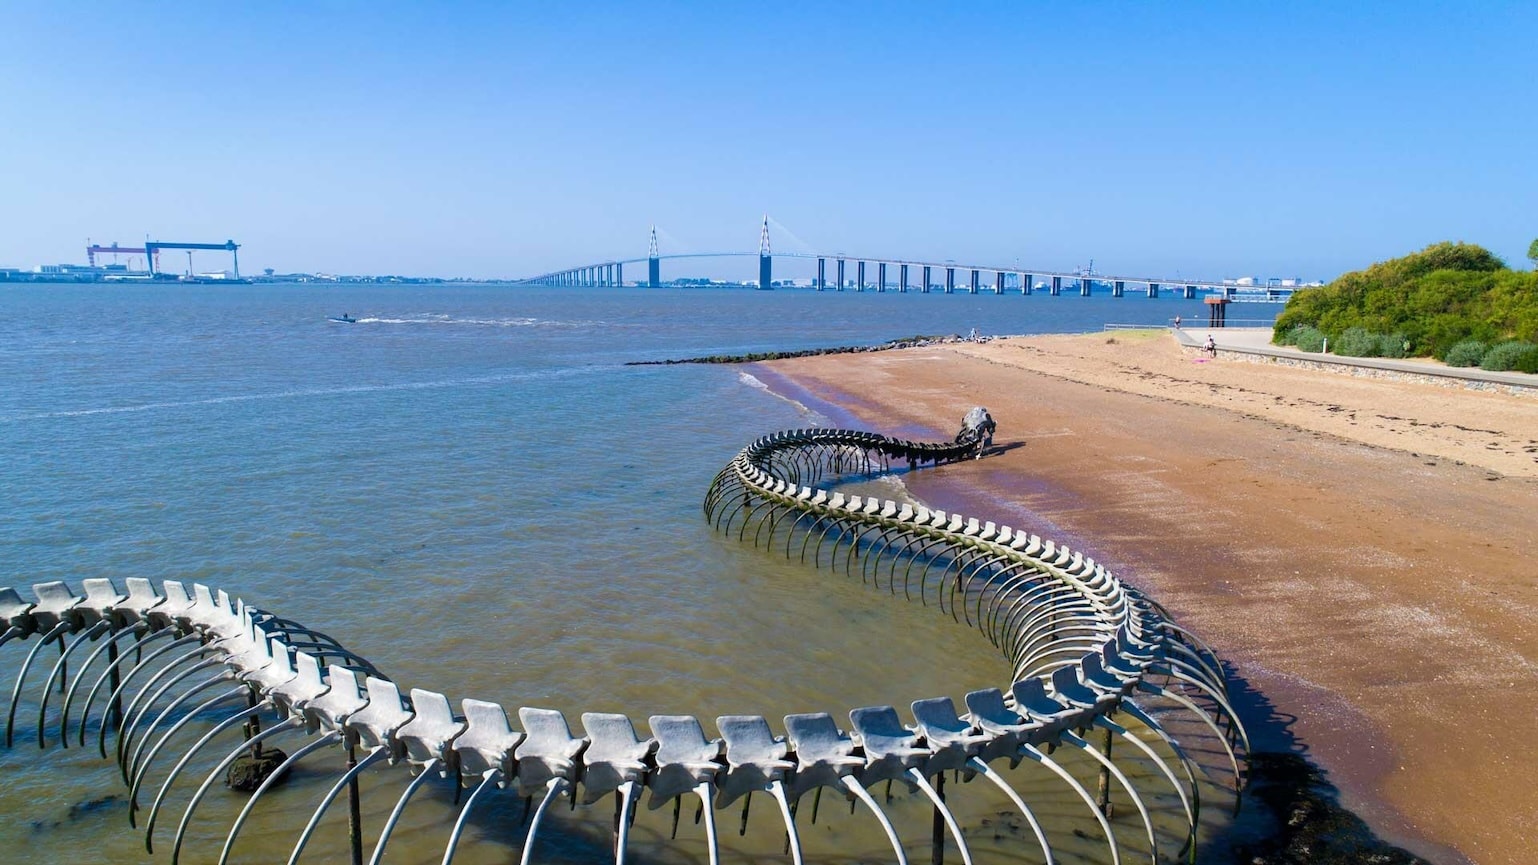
{"x":473,"y":492}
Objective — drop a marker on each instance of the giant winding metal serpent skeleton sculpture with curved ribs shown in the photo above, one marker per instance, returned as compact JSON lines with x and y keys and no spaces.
{"x":171,"y":670}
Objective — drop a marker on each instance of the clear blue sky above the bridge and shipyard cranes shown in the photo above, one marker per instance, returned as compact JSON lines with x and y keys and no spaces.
{"x":504,"y":139}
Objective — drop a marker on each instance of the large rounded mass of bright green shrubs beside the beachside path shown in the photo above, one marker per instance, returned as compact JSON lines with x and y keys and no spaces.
{"x":1434,"y":301}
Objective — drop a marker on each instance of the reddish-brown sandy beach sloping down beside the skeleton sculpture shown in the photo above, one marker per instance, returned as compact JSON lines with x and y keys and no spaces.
{"x":1362,"y":552}
